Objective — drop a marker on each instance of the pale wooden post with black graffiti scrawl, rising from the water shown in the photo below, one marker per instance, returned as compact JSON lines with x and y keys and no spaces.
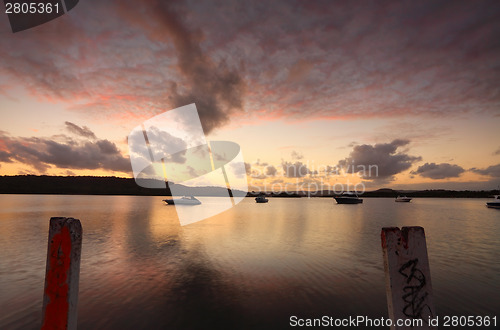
{"x":407,"y":277}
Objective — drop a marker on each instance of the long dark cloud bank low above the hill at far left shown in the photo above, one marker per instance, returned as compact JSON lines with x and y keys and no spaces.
{"x":63,"y":152}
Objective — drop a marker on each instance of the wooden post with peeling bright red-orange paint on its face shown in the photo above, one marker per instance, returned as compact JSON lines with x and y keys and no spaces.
{"x":62,"y":274}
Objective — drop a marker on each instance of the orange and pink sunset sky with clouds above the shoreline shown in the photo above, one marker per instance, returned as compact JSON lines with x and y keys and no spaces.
{"x":316,"y":93}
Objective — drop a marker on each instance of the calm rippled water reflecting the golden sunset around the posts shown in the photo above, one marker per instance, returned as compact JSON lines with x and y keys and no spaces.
{"x":251,"y":267}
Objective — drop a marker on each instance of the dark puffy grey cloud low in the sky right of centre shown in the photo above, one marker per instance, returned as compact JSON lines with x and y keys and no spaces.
{"x":378,"y":162}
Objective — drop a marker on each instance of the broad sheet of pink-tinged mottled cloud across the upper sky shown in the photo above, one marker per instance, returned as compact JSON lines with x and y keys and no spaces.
{"x":275,"y":61}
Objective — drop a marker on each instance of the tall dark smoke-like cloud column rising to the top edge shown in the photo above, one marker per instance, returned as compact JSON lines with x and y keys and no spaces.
{"x":215,"y":87}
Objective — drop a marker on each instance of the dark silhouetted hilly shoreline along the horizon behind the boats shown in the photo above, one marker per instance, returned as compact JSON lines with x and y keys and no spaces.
{"x":115,"y":186}
